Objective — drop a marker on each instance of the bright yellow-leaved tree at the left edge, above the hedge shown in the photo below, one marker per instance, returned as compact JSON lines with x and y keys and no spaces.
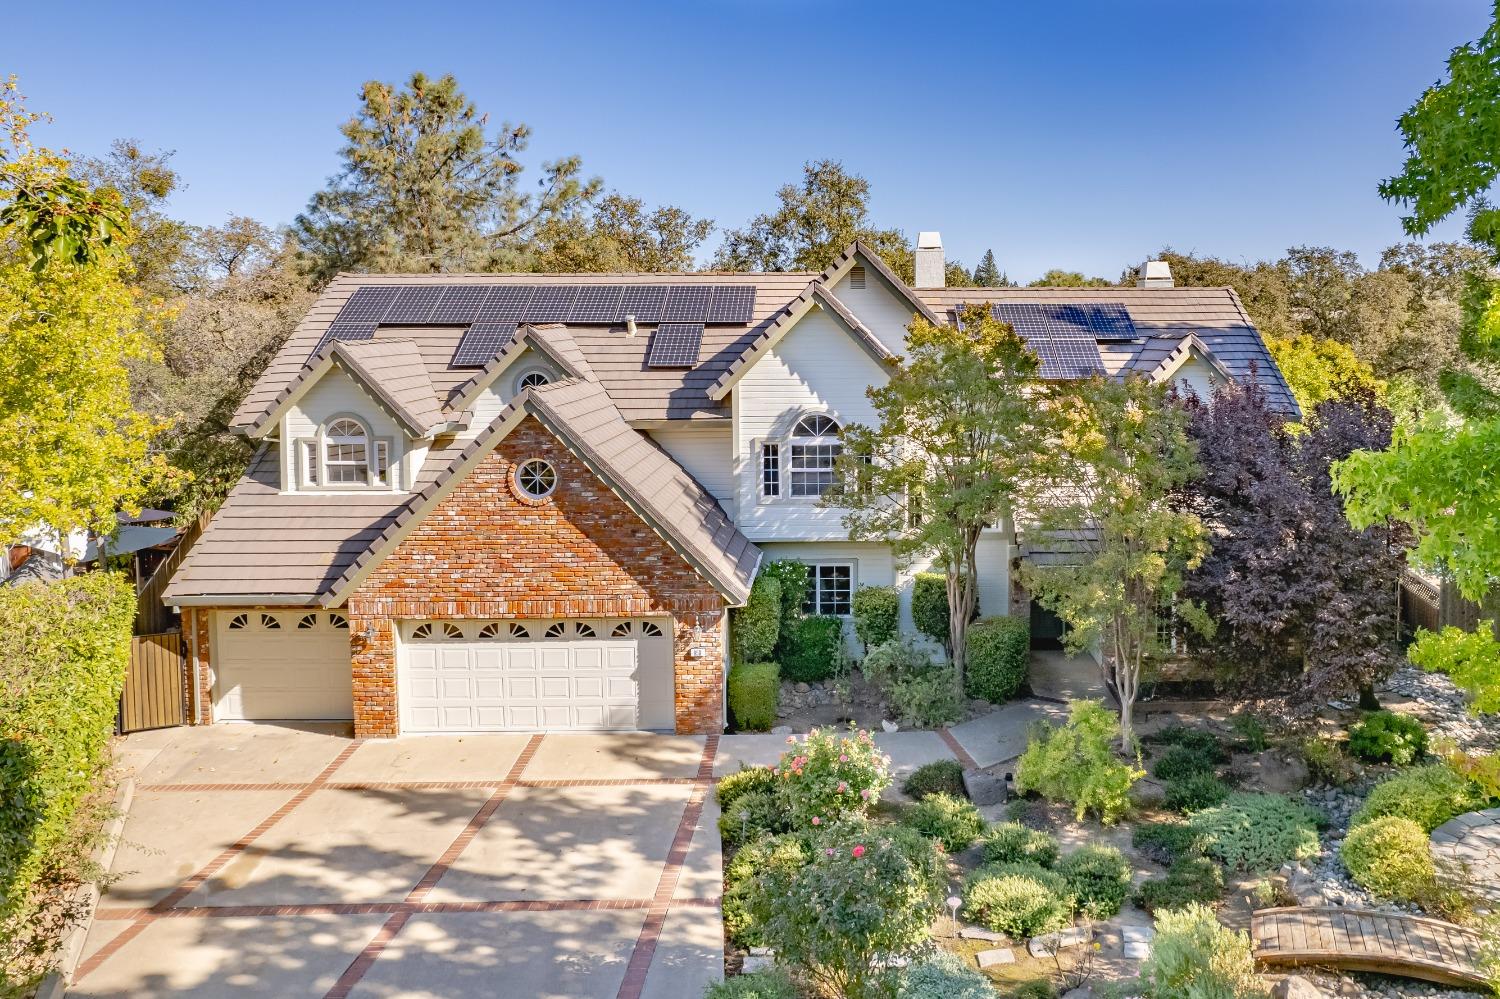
{"x":73,"y":451}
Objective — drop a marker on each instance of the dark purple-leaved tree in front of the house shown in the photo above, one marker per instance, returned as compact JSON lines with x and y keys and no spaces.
{"x":1303,"y":601}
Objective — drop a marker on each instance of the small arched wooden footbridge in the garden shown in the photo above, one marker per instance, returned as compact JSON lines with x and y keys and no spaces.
{"x":1364,"y":940}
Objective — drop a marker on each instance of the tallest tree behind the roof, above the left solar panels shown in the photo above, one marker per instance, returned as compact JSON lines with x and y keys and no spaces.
{"x":425,"y":188}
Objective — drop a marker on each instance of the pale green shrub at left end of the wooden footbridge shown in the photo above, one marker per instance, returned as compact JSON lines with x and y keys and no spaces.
{"x":1195,"y":958}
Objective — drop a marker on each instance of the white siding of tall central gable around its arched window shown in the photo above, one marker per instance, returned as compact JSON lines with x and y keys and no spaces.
{"x":817,"y":368}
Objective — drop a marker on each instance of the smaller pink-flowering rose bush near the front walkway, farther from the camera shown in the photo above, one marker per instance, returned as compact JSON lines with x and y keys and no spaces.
{"x":830,"y":776}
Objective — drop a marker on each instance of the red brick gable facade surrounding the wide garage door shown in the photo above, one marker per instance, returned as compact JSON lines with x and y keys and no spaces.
{"x":485,"y":553}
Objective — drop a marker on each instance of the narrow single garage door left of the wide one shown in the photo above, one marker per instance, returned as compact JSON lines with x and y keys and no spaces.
{"x":283,"y":665}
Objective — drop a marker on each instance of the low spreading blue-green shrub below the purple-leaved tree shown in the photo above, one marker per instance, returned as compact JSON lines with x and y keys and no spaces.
{"x":1258,"y":832}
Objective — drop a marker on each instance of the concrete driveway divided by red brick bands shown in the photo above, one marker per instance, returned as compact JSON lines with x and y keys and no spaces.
{"x":293,"y":862}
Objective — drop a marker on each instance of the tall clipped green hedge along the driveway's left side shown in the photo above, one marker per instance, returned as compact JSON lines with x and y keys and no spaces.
{"x":64,"y":653}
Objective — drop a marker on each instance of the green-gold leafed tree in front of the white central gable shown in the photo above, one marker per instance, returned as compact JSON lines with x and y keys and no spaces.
{"x":961,"y":427}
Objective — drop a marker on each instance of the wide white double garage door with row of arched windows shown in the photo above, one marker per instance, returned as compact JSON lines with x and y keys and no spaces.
{"x":536,"y":676}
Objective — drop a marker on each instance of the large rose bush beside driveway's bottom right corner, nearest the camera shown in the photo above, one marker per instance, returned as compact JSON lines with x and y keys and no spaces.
{"x":866,"y":893}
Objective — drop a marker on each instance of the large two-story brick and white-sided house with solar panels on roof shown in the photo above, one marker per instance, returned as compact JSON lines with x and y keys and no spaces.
{"x":529,"y":502}
